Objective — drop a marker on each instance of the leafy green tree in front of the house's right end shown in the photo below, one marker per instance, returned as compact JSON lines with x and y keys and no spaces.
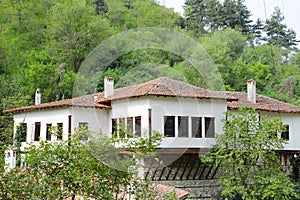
{"x":249,"y":167}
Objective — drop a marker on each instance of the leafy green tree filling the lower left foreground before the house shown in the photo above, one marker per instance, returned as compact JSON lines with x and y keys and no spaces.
{"x":63,"y":169}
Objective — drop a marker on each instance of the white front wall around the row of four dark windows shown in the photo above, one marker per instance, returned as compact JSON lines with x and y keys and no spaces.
{"x":166,"y":106}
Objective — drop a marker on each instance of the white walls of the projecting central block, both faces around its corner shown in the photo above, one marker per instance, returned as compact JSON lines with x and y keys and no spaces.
{"x":169,"y":106}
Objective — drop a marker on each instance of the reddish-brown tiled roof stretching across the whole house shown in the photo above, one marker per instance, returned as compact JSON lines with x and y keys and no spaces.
{"x":169,"y":88}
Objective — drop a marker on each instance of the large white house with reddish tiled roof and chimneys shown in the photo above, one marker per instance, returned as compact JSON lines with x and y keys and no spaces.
{"x":188,"y":116}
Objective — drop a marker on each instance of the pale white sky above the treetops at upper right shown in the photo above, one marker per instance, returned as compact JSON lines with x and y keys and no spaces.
{"x":290,"y":9}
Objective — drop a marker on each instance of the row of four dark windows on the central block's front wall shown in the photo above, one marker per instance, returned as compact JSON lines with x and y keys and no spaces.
{"x":198,"y":124}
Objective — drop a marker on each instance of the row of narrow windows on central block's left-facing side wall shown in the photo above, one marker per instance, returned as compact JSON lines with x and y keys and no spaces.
{"x":132,"y":124}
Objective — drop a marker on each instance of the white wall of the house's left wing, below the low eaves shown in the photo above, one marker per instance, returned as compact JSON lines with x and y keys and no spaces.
{"x":96,"y":119}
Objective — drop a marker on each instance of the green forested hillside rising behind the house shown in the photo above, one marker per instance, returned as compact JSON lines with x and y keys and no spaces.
{"x":44,"y":42}
